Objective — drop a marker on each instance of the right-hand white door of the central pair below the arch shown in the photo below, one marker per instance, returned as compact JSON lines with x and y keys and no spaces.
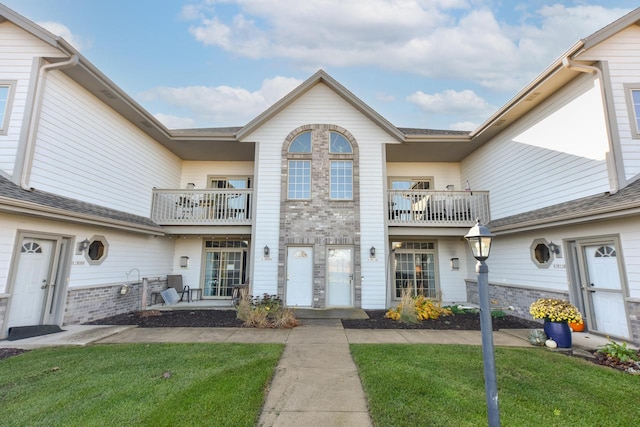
{"x":340,"y":277}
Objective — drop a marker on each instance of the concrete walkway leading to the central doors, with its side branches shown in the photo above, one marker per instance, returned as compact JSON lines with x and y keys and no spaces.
{"x":316,"y":381}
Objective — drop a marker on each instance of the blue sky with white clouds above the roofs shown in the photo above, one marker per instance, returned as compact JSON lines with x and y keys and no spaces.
{"x":437,"y":64}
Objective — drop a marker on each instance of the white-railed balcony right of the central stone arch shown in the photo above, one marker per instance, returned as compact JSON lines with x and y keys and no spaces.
{"x":437,"y":208}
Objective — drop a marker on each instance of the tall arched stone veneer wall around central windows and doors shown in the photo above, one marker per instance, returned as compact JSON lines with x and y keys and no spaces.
{"x":320,"y":222}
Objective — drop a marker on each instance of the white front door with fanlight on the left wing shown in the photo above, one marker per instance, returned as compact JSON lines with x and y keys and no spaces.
{"x":34,"y":282}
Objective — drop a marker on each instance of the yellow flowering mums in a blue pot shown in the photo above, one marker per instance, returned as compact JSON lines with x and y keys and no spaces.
{"x":557,"y":315}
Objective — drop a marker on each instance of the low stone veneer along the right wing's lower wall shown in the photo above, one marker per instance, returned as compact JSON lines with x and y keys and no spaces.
{"x":521,"y":298}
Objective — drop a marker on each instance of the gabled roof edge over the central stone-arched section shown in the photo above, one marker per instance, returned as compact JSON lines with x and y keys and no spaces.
{"x":321,"y":77}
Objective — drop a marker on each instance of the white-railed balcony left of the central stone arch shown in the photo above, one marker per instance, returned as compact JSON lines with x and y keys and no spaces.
{"x":202,"y":207}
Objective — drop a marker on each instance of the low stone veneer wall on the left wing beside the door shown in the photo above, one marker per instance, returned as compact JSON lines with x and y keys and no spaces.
{"x":89,"y":304}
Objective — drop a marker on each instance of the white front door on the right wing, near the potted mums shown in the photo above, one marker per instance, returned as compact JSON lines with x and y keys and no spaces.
{"x":604,"y":292}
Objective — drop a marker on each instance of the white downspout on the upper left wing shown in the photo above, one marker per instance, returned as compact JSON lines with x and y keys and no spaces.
{"x":27,"y":161}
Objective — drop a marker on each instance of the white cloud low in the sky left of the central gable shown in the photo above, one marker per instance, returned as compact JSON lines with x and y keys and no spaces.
{"x":210,"y":106}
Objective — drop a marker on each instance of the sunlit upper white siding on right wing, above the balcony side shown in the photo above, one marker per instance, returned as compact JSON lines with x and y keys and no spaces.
{"x":552,"y":155}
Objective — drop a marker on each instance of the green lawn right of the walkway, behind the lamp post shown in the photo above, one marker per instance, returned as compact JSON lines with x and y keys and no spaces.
{"x":436,"y":385}
